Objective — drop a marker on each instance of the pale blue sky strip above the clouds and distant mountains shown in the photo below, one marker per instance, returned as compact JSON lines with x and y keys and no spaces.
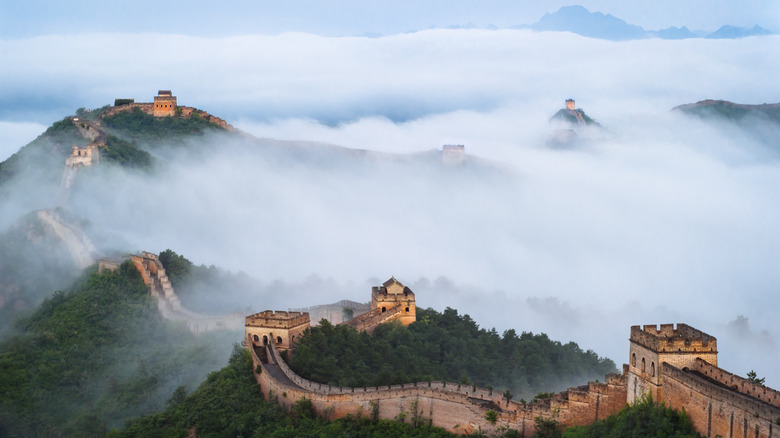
{"x":354,"y":17}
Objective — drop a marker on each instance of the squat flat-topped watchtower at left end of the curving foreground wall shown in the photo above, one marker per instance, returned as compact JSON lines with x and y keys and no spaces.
{"x":280,"y":327}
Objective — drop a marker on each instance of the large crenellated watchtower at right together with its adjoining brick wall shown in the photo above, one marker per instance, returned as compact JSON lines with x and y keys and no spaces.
{"x":678,"y":366}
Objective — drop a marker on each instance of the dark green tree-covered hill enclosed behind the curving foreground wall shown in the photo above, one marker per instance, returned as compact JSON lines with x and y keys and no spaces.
{"x":445,"y":346}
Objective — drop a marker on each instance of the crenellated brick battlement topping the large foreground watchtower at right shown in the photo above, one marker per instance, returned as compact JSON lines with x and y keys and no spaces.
{"x":668,"y":339}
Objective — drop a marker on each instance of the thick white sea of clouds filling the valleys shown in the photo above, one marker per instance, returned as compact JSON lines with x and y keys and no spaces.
{"x":658,"y":218}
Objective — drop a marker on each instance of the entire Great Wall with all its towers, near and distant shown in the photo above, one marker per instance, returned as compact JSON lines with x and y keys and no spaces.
{"x":676,"y":365}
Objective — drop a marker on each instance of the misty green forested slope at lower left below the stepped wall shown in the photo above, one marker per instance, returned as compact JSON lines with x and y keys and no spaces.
{"x":92,"y":357}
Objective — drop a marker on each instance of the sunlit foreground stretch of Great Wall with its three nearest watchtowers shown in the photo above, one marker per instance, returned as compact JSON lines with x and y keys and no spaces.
{"x":674,"y":365}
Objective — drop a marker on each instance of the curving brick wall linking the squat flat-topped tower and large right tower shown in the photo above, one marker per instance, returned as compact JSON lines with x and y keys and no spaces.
{"x":458,"y":408}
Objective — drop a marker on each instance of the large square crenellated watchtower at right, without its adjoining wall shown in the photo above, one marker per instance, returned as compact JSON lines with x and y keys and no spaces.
{"x":650,"y":347}
